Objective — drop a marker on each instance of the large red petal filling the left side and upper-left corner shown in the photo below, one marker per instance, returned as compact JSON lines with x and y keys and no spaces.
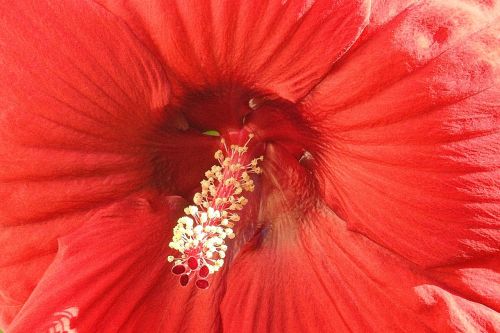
{"x":78,"y":93}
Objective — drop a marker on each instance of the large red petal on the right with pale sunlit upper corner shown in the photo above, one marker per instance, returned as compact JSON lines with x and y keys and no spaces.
{"x":410,"y":155}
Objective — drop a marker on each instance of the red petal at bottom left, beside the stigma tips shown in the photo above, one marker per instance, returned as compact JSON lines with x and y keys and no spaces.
{"x":110,"y":274}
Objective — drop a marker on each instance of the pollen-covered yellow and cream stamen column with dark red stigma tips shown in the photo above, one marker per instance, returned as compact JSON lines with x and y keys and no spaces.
{"x":202,"y":234}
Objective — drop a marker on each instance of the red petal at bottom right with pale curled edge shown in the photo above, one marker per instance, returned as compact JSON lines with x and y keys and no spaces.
{"x":323,"y":277}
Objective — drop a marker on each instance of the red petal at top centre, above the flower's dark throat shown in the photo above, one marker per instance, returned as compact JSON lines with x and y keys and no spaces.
{"x":280,"y":47}
